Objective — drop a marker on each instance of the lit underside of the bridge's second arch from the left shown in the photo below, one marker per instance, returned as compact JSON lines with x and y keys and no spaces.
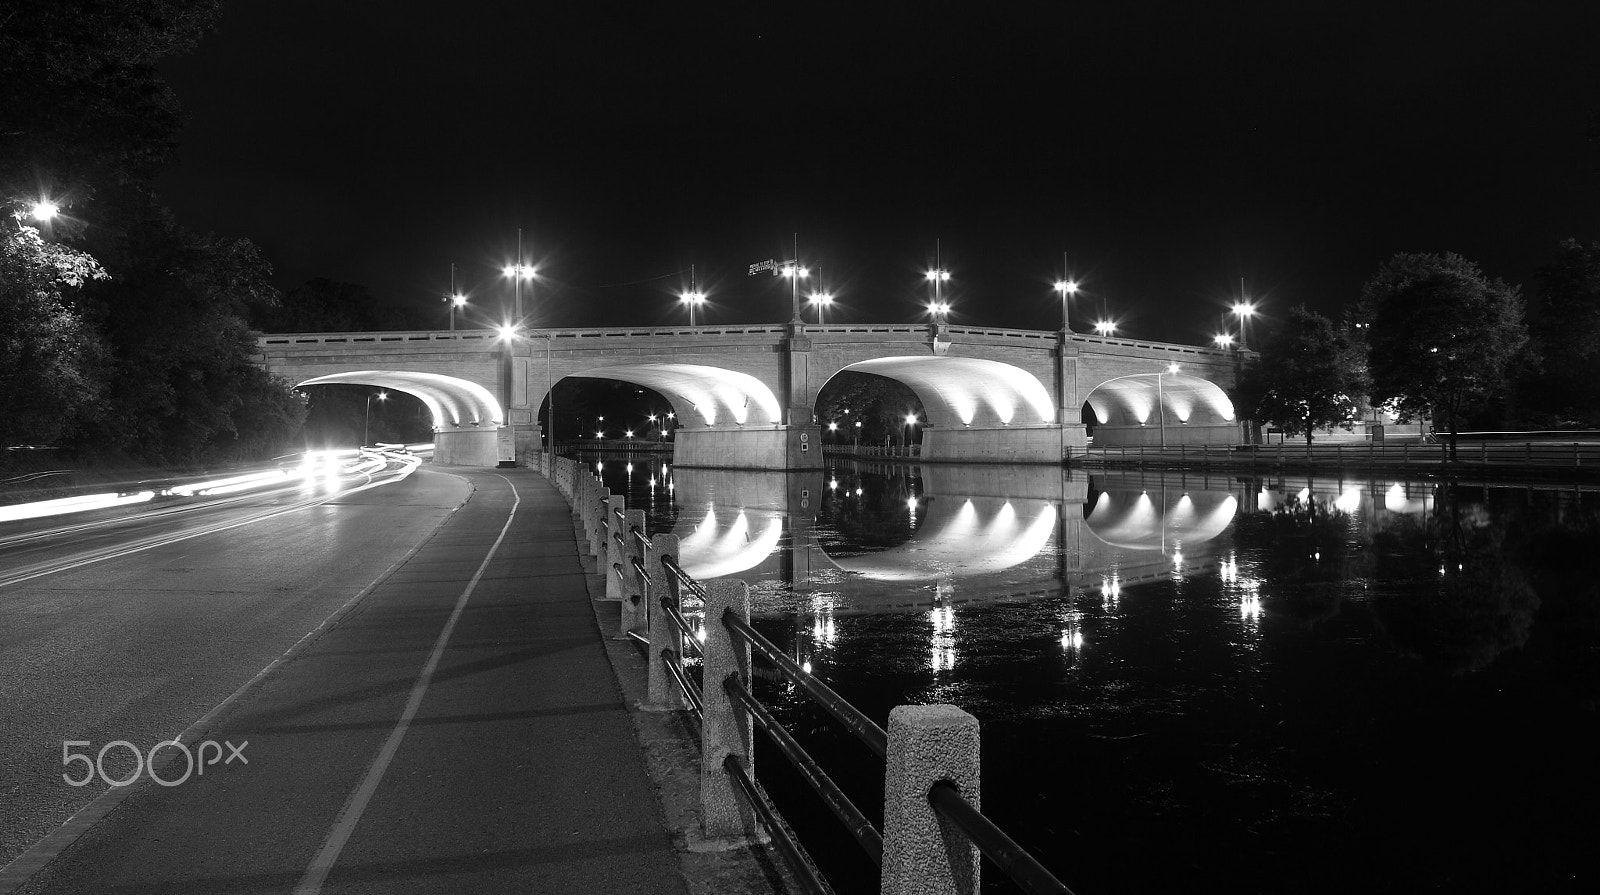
{"x":714,"y":396}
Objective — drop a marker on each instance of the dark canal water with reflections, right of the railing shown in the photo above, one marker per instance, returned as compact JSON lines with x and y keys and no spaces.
{"x":1188,"y":681}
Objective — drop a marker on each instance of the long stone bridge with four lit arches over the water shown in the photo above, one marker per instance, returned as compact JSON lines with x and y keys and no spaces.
{"x":746,"y":396}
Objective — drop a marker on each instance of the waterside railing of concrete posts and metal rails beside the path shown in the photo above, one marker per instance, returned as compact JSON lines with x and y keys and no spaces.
{"x":934,"y":830}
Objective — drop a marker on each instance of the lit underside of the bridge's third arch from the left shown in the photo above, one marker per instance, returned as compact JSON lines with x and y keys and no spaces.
{"x":969,"y":391}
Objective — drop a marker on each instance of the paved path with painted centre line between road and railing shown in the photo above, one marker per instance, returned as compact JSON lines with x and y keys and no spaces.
{"x":518,"y":768}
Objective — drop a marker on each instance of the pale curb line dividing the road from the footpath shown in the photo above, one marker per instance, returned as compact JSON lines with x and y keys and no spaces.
{"x":46,"y":851}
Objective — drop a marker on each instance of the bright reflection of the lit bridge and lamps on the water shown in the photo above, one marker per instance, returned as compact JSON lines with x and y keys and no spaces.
{"x":881,"y":537}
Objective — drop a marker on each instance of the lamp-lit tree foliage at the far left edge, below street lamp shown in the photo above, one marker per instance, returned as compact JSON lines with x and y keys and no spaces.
{"x":52,"y":363}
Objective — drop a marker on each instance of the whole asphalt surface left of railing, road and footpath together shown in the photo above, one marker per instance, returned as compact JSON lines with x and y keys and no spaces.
{"x":417,"y":675}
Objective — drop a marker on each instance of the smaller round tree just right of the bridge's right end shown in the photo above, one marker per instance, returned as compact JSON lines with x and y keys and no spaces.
{"x":1311,"y":377}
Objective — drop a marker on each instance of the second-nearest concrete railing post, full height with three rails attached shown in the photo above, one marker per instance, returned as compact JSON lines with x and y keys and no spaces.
{"x":726,"y":729}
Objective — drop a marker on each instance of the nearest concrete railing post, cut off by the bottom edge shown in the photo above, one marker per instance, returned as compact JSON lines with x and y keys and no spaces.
{"x":924,"y":856}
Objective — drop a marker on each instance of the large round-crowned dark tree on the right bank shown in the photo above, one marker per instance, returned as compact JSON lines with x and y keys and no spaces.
{"x":1444,"y":339}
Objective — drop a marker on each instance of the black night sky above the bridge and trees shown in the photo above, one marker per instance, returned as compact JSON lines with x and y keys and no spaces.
{"x":1169,"y":151}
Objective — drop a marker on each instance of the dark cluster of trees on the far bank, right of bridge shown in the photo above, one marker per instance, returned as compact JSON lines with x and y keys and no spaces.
{"x":1433,"y":337}
